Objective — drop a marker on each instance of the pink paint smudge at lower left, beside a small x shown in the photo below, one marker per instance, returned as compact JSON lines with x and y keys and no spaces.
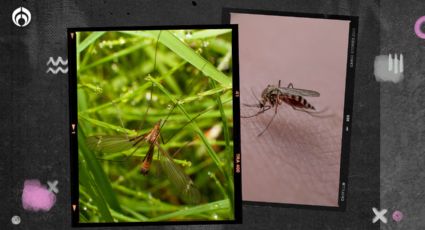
{"x":37,"y":197}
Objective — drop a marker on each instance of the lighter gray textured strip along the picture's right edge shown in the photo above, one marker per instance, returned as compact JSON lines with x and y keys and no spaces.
{"x":402,"y":117}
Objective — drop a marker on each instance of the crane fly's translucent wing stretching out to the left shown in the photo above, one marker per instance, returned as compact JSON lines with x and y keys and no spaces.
{"x":109,"y":143}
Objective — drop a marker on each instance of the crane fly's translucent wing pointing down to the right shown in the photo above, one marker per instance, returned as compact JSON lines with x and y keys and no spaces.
{"x":188,"y":192}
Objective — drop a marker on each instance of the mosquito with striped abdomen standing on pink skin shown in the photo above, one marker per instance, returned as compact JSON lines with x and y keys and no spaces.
{"x":273,"y":96}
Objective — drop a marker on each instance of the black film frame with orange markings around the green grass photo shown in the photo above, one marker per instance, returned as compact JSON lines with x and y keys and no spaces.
{"x":76,"y":130}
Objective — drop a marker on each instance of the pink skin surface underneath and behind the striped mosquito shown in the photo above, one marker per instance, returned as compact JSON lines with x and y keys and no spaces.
{"x":297,"y":160}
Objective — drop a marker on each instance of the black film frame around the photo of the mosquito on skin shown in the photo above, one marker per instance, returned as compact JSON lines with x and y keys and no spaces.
{"x":348,"y":100}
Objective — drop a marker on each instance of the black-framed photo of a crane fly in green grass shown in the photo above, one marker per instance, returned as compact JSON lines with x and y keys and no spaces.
{"x":153,"y":132}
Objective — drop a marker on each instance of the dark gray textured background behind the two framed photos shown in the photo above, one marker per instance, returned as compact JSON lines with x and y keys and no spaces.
{"x":387,"y":124}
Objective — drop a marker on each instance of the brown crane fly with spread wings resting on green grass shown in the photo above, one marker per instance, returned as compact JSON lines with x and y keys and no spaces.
{"x":118,"y":143}
